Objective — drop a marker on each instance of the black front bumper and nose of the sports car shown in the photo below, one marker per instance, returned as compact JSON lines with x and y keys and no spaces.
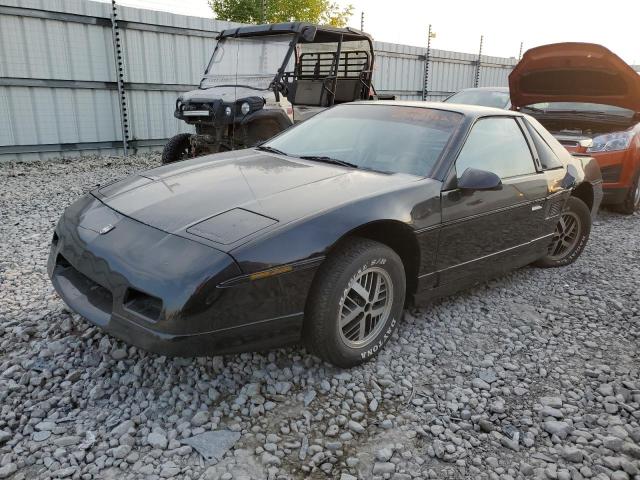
{"x":107,"y":278}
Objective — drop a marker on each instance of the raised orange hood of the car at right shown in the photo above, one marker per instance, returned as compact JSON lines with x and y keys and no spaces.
{"x":574,"y":72}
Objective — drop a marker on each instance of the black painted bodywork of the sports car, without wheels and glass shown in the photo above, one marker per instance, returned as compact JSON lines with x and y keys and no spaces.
{"x":218,"y":254}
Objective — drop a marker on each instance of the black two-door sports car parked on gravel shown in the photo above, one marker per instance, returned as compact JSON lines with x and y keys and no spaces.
{"x":324,"y":233}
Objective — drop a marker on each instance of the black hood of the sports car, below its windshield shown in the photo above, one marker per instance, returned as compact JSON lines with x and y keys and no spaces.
{"x":224,"y":199}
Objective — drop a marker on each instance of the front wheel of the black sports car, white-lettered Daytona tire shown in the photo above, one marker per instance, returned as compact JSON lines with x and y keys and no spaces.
{"x":356,"y":302}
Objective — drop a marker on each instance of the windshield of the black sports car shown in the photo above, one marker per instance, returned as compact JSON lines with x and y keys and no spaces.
{"x":386,"y":138}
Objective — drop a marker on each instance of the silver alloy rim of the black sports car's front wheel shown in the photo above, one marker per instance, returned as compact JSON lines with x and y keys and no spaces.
{"x":365,"y":307}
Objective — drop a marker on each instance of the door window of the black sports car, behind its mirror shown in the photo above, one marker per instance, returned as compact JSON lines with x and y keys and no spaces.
{"x":497,"y":145}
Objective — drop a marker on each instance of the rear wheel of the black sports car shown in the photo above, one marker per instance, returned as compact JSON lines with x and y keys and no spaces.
{"x":570,"y":236}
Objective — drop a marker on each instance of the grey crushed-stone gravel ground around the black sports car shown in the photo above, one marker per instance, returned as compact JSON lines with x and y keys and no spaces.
{"x":533,"y":375}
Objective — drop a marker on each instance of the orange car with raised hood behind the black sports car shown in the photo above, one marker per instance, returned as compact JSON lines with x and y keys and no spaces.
{"x":589,"y":99}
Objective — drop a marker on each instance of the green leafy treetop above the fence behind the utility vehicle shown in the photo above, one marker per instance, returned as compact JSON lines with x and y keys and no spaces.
{"x":323,"y":12}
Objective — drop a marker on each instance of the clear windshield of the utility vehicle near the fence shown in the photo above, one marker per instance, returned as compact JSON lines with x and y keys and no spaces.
{"x":251,"y":62}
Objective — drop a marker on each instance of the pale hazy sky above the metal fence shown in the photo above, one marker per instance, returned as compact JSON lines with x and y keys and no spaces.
{"x":458,"y":24}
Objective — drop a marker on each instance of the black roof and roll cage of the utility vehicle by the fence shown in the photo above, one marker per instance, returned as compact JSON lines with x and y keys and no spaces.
{"x":320,"y":78}
